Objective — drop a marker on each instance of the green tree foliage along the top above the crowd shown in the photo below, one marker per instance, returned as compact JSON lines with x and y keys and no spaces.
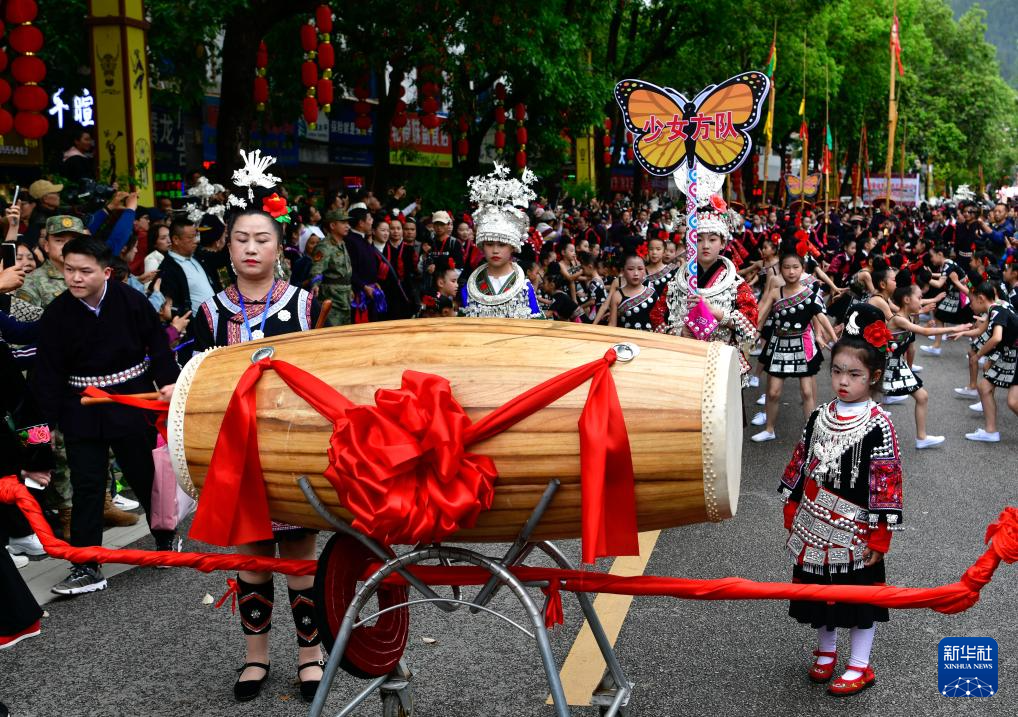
{"x":562,"y":58}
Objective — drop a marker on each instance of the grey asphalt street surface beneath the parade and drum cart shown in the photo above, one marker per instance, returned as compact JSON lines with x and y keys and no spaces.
{"x":149,"y":646}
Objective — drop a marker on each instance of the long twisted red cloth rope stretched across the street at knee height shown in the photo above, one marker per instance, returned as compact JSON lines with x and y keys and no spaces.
{"x":949,"y":599}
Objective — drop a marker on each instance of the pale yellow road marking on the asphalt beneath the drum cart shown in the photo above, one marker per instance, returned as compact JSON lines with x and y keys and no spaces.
{"x":585,"y":666}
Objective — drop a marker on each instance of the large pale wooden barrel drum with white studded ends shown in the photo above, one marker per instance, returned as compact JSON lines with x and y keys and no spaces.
{"x":681,"y":398}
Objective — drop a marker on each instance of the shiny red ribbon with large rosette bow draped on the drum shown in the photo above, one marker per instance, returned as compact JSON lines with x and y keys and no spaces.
{"x":401,"y":466}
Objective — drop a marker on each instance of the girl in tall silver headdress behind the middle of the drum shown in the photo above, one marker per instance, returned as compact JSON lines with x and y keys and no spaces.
{"x":499,"y":288}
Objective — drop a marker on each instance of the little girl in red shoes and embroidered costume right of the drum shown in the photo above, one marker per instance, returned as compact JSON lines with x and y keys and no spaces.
{"x":843,"y":498}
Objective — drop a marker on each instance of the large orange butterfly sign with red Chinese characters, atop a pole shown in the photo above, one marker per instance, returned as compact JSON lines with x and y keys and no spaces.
{"x":713,"y":128}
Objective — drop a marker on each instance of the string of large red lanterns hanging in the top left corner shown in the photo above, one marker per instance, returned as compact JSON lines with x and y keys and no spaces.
{"x":28,"y":70}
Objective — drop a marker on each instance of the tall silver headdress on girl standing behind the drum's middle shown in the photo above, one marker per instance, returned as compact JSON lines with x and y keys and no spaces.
{"x":501,"y":201}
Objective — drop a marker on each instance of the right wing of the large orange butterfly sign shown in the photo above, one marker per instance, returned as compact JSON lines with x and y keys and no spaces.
{"x":743,"y":96}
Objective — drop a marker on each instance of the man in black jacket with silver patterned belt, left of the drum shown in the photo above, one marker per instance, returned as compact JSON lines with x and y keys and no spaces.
{"x":101,"y":334}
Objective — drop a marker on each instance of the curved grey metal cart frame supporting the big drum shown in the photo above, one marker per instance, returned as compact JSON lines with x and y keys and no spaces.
{"x":612,"y":694}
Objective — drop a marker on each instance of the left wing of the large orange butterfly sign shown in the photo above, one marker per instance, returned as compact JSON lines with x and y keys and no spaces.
{"x":643,"y":105}
